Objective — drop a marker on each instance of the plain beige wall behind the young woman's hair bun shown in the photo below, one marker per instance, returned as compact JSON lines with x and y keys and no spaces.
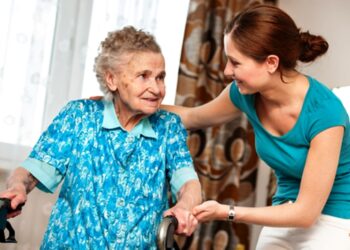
{"x":331,"y":19}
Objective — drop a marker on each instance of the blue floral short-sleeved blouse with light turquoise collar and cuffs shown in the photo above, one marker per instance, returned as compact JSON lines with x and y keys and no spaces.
{"x":115,"y":182}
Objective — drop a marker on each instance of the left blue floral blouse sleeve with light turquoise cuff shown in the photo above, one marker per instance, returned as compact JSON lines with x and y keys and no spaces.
{"x":52,"y":153}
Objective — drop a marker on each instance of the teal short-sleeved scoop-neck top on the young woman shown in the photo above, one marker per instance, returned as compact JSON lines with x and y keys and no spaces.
{"x":287,"y":154}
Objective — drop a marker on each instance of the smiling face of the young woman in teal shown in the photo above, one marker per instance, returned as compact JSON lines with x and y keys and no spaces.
{"x":250,"y":76}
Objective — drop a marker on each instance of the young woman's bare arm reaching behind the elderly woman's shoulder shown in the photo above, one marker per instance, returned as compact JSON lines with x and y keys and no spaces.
{"x":218,"y":111}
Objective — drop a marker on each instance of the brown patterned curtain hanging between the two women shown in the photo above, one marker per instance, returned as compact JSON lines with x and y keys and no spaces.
{"x":224,"y":156}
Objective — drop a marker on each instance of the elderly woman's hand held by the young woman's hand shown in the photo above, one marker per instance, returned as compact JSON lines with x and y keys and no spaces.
{"x":187,"y":222}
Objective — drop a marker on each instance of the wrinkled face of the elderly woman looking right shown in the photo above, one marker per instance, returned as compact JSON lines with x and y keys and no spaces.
{"x":139,"y":83}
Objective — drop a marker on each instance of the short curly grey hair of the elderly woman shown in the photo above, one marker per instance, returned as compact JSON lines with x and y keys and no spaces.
{"x":117,"y":44}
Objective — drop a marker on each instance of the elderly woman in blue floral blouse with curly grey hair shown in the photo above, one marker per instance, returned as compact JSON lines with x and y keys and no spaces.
{"x":115,"y":156}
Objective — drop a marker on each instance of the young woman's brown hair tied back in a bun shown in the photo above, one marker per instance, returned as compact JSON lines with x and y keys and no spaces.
{"x":264,"y":30}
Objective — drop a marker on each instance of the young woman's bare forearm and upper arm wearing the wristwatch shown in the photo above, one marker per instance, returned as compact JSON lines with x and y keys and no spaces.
{"x":316,"y":184}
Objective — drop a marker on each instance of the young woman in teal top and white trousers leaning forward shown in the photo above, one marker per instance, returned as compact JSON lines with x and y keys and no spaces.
{"x":301,"y":130}
